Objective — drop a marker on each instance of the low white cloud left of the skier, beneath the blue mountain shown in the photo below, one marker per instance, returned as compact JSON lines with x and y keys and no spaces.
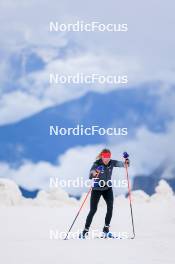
{"x":74,"y":163}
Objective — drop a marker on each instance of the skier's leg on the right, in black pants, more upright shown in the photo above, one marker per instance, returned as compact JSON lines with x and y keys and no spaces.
{"x":109,"y":199}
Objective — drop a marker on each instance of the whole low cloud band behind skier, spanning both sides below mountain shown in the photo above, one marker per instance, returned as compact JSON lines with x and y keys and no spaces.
{"x":147,"y":151}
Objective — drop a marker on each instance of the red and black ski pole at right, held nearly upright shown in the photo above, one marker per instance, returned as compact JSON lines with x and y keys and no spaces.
{"x":126,"y":155}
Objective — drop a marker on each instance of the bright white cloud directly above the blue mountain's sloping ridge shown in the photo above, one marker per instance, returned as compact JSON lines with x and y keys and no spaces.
{"x":37,"y":94}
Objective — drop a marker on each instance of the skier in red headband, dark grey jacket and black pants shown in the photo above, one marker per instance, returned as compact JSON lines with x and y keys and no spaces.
{"x":101,"y":172}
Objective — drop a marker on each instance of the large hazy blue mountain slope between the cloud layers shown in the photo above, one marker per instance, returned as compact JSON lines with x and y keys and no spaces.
{"x":132,"y":108}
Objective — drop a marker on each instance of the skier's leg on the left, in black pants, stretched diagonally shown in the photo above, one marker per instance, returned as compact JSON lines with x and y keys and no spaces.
{"x":95,"y":197}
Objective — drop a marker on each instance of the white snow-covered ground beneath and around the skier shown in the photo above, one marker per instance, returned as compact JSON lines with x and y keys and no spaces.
{"x":26,"y":226}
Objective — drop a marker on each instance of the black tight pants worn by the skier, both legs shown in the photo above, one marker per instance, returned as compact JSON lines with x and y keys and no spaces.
{"x":95,"y":197}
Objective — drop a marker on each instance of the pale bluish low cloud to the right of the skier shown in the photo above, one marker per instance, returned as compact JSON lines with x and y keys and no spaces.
{"x":149,"y":150}
